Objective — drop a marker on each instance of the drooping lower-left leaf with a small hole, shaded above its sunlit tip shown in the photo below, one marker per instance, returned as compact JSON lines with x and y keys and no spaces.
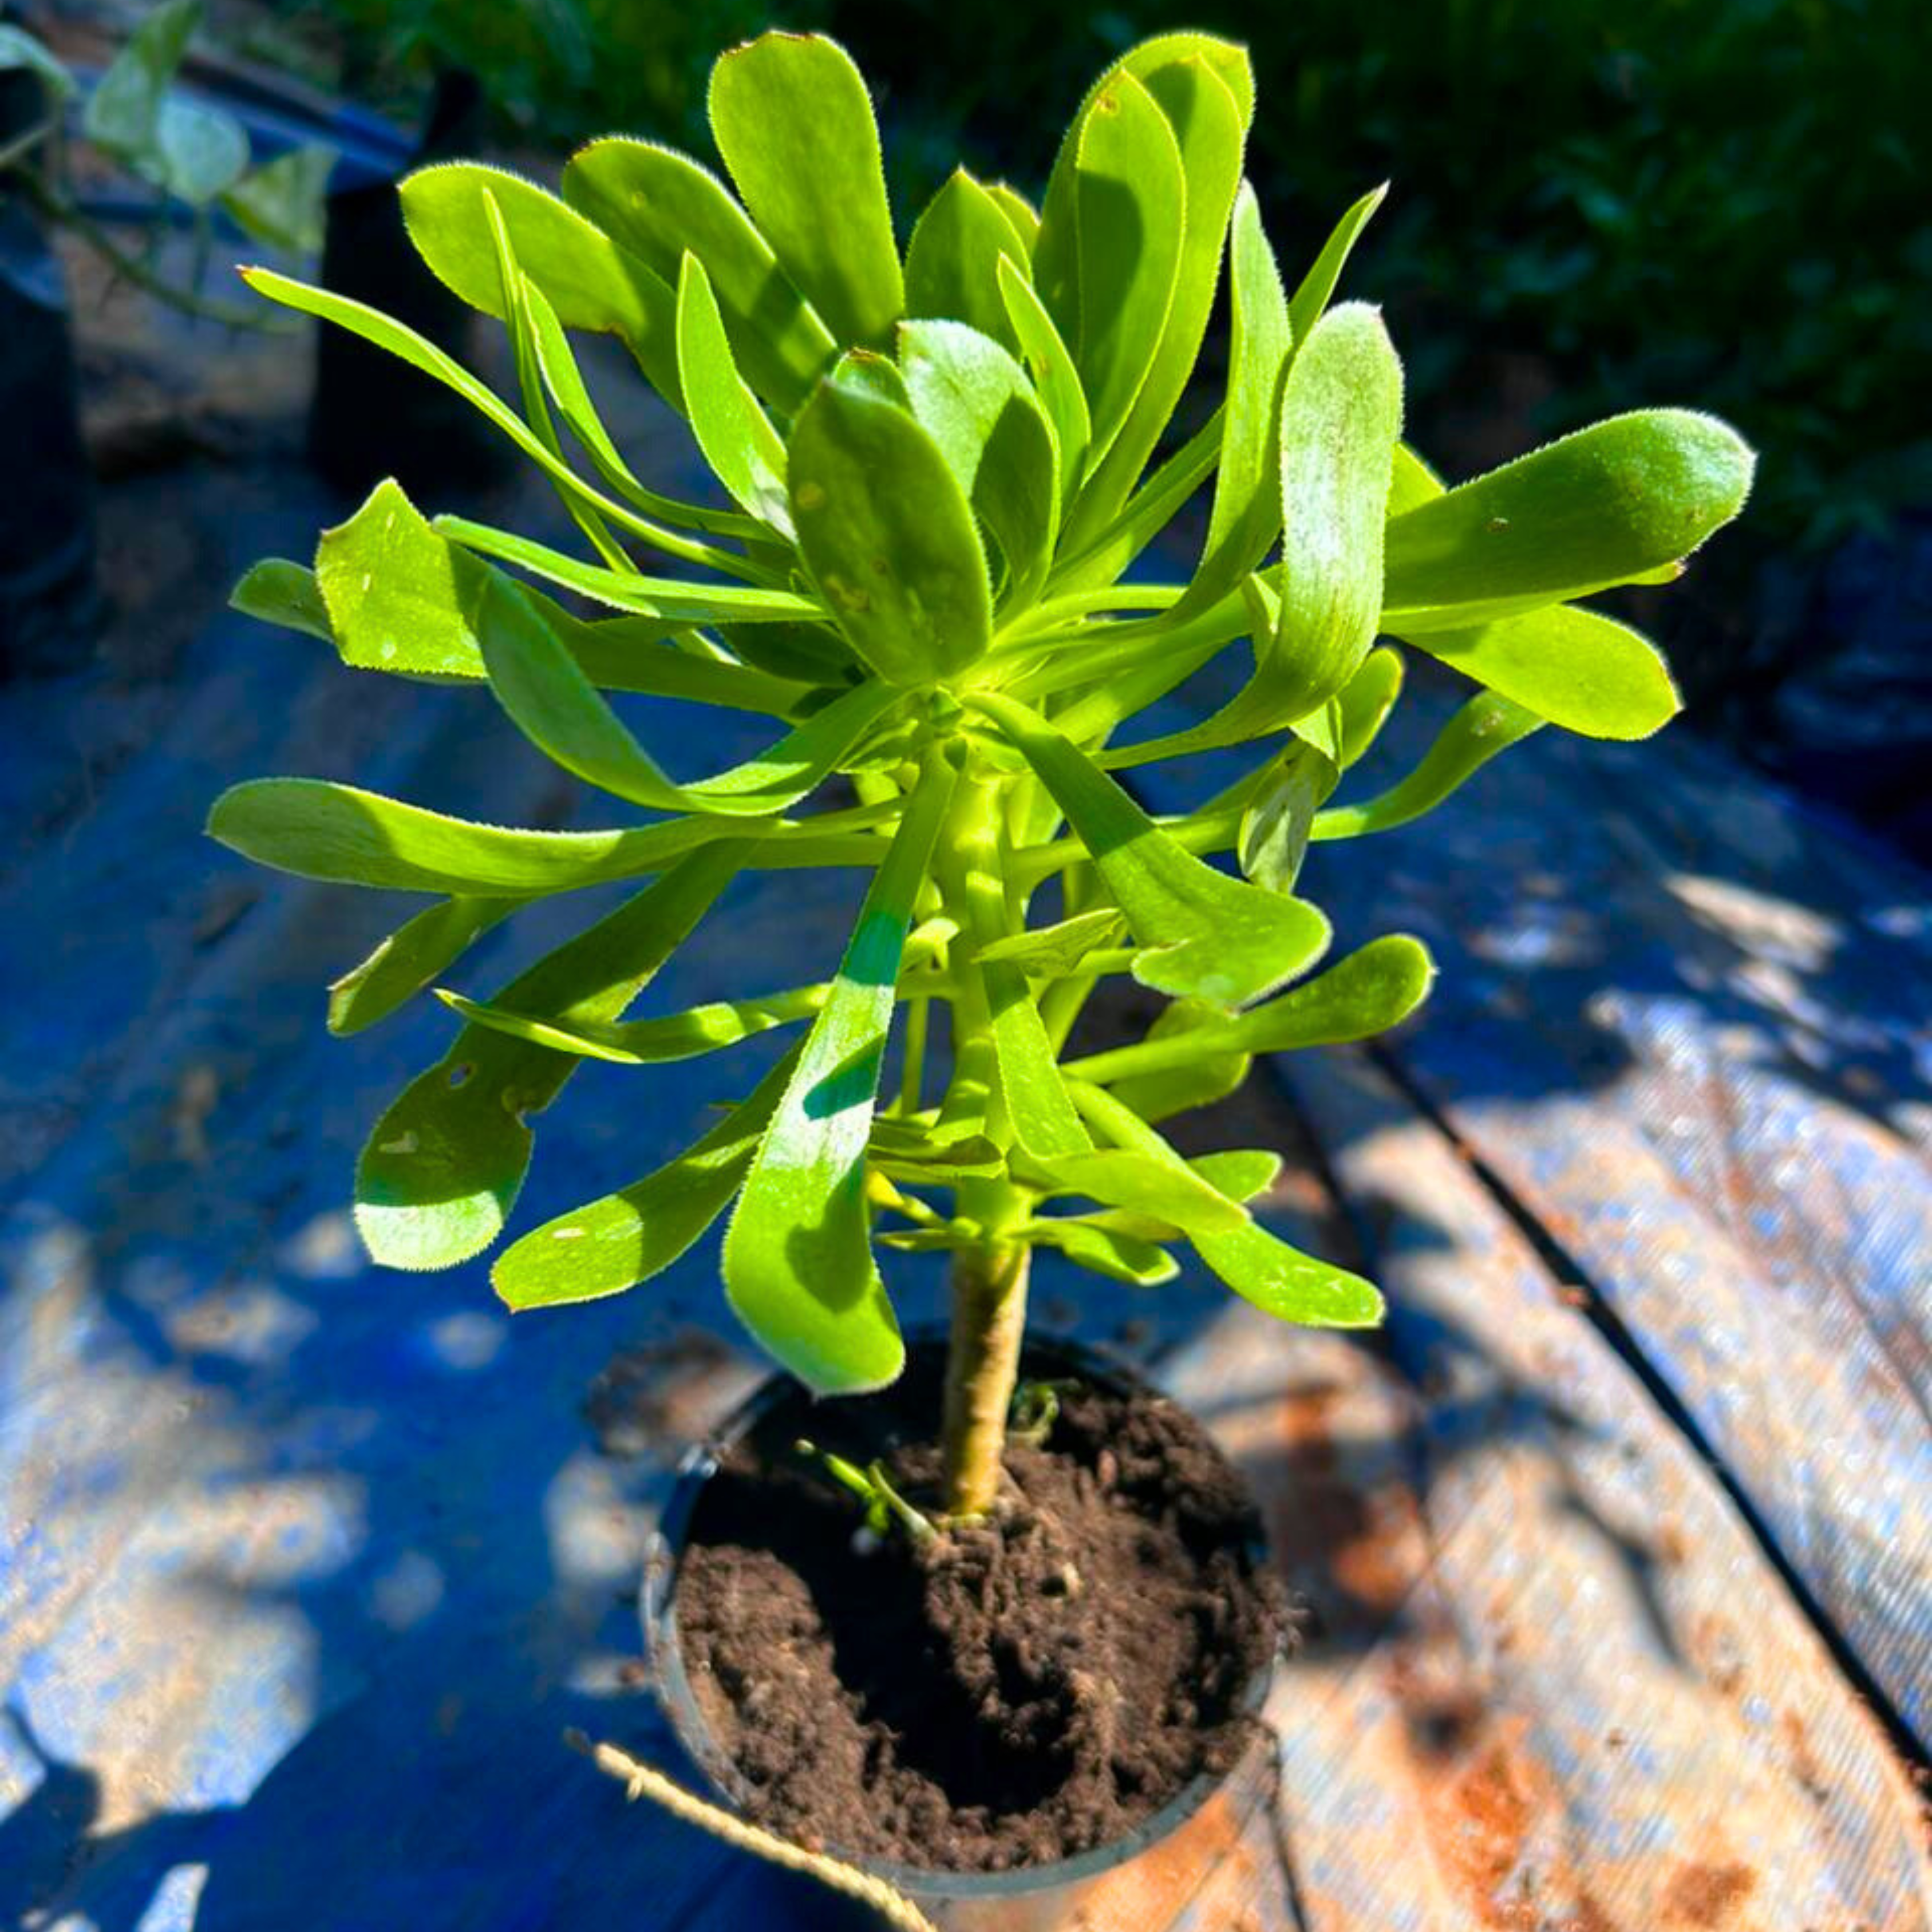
{"x":443,"y":1166}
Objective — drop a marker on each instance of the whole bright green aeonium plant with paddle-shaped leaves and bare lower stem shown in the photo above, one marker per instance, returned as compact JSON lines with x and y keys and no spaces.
{"x":942,"y":472}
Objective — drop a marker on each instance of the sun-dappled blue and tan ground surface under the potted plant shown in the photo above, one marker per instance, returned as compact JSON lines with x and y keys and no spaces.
{"x":1614,"y":1547}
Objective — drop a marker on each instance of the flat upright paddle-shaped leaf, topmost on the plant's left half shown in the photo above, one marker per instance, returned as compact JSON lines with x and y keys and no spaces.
{"x":795,"y":127}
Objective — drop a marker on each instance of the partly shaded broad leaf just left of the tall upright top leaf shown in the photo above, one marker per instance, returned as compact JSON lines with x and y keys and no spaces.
{"x":662,"y":206}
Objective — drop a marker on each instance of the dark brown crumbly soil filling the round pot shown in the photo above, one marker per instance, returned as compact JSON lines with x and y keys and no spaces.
{"x":1009,"y":1693}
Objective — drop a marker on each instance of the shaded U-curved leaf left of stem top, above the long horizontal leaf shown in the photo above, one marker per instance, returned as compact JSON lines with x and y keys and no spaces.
{"x":559,"y":710}
